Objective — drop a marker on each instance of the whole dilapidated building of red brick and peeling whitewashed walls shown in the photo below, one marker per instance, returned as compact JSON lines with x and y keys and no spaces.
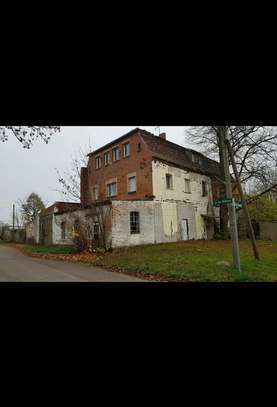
{"x":156,"y":190}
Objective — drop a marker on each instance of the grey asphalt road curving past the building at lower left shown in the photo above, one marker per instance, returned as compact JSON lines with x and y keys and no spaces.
{"x":15,"y":266}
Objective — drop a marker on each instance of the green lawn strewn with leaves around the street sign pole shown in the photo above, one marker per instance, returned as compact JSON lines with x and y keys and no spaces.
{"x":195,"y":261}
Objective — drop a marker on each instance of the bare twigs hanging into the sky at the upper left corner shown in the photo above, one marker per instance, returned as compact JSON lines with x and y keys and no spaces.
{"x":26,"y":135}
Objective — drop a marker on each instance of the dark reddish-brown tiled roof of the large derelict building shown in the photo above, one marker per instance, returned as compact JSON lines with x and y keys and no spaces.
{"x":170,"y":152}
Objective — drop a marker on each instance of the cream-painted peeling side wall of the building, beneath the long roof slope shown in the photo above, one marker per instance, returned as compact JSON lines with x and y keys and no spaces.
{"x":197,"y":205}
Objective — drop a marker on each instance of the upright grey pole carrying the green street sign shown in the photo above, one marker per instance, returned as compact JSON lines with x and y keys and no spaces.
{"x":229,"y":194}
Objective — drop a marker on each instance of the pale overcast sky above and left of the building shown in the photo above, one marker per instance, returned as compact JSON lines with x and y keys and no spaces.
{"x":25,"y":171}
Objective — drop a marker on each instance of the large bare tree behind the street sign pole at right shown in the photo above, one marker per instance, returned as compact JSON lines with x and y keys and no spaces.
{"x":254,"y":147}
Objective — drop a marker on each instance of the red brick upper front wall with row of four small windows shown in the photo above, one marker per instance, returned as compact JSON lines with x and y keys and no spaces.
{"x":138,"y":163}
